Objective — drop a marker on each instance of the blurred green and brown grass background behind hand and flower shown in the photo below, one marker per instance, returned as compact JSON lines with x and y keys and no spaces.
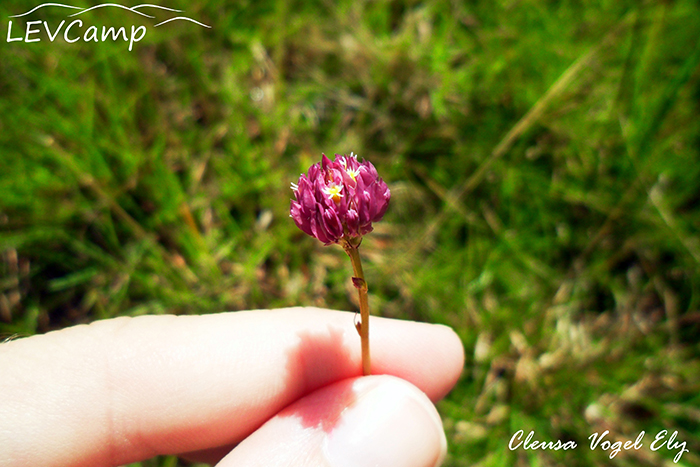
{"x":543,"y":159}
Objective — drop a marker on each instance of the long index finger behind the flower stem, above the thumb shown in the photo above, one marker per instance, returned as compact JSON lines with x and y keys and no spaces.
{"x":127,"y":389}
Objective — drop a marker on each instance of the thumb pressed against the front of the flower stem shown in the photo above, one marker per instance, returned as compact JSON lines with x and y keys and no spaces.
{"x":374,"y":420}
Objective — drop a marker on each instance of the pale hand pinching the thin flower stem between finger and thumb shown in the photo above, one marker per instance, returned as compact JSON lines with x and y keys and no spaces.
{"x":272,"y":388}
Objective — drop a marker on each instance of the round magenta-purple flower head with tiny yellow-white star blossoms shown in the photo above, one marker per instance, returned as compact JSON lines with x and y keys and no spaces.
{"x":339,"y":199}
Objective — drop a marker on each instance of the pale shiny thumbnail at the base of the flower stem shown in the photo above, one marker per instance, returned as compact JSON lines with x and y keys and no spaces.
{"x":391,"y":423}
